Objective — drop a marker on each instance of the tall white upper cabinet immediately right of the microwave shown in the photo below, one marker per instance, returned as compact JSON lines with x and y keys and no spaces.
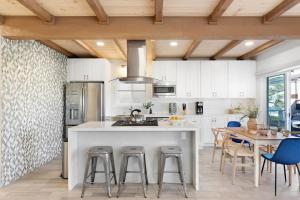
{"x":188,"y":79}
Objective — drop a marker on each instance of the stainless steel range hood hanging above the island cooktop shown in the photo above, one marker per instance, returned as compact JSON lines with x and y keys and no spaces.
{"x":136,"y":63}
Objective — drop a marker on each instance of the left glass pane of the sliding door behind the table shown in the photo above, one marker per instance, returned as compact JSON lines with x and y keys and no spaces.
{"x":276,"y":105}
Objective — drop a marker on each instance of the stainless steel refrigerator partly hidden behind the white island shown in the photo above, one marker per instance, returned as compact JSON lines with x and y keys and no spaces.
{"x":84,"y":101}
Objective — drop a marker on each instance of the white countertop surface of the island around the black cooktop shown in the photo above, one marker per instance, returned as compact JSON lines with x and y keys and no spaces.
{"x":181,"y":125}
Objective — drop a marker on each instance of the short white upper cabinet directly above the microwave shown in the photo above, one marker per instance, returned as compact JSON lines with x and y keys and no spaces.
{"x":165,"y":71}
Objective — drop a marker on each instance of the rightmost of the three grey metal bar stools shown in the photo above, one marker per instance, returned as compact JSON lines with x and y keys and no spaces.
{"x":171,"y":152}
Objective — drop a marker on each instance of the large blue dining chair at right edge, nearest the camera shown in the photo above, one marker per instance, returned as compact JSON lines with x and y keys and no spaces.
{"x":287,"y":153}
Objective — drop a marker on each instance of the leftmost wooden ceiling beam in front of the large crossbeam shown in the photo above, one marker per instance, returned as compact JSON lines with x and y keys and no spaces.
{"x":39,"y":11}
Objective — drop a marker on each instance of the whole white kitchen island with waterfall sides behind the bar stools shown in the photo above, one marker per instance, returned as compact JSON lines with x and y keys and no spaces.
{"x":91,"y":134}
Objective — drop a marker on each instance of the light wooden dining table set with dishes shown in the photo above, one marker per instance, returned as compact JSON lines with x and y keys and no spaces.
{"x":257,"y":140}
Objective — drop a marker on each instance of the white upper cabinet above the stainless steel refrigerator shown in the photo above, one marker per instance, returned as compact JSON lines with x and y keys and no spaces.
{"x":88,"y":70}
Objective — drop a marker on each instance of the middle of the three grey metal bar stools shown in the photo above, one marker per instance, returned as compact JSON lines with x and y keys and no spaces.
{"x":133,"y":152}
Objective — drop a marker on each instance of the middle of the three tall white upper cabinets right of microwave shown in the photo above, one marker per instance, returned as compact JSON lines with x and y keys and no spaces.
{"x":214,"y":79}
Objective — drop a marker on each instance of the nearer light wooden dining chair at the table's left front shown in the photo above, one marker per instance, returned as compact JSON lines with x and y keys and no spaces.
{"x":233,"y":151}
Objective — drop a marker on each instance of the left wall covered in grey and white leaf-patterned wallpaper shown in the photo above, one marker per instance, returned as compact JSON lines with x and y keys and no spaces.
{"x":32,"y":106}
